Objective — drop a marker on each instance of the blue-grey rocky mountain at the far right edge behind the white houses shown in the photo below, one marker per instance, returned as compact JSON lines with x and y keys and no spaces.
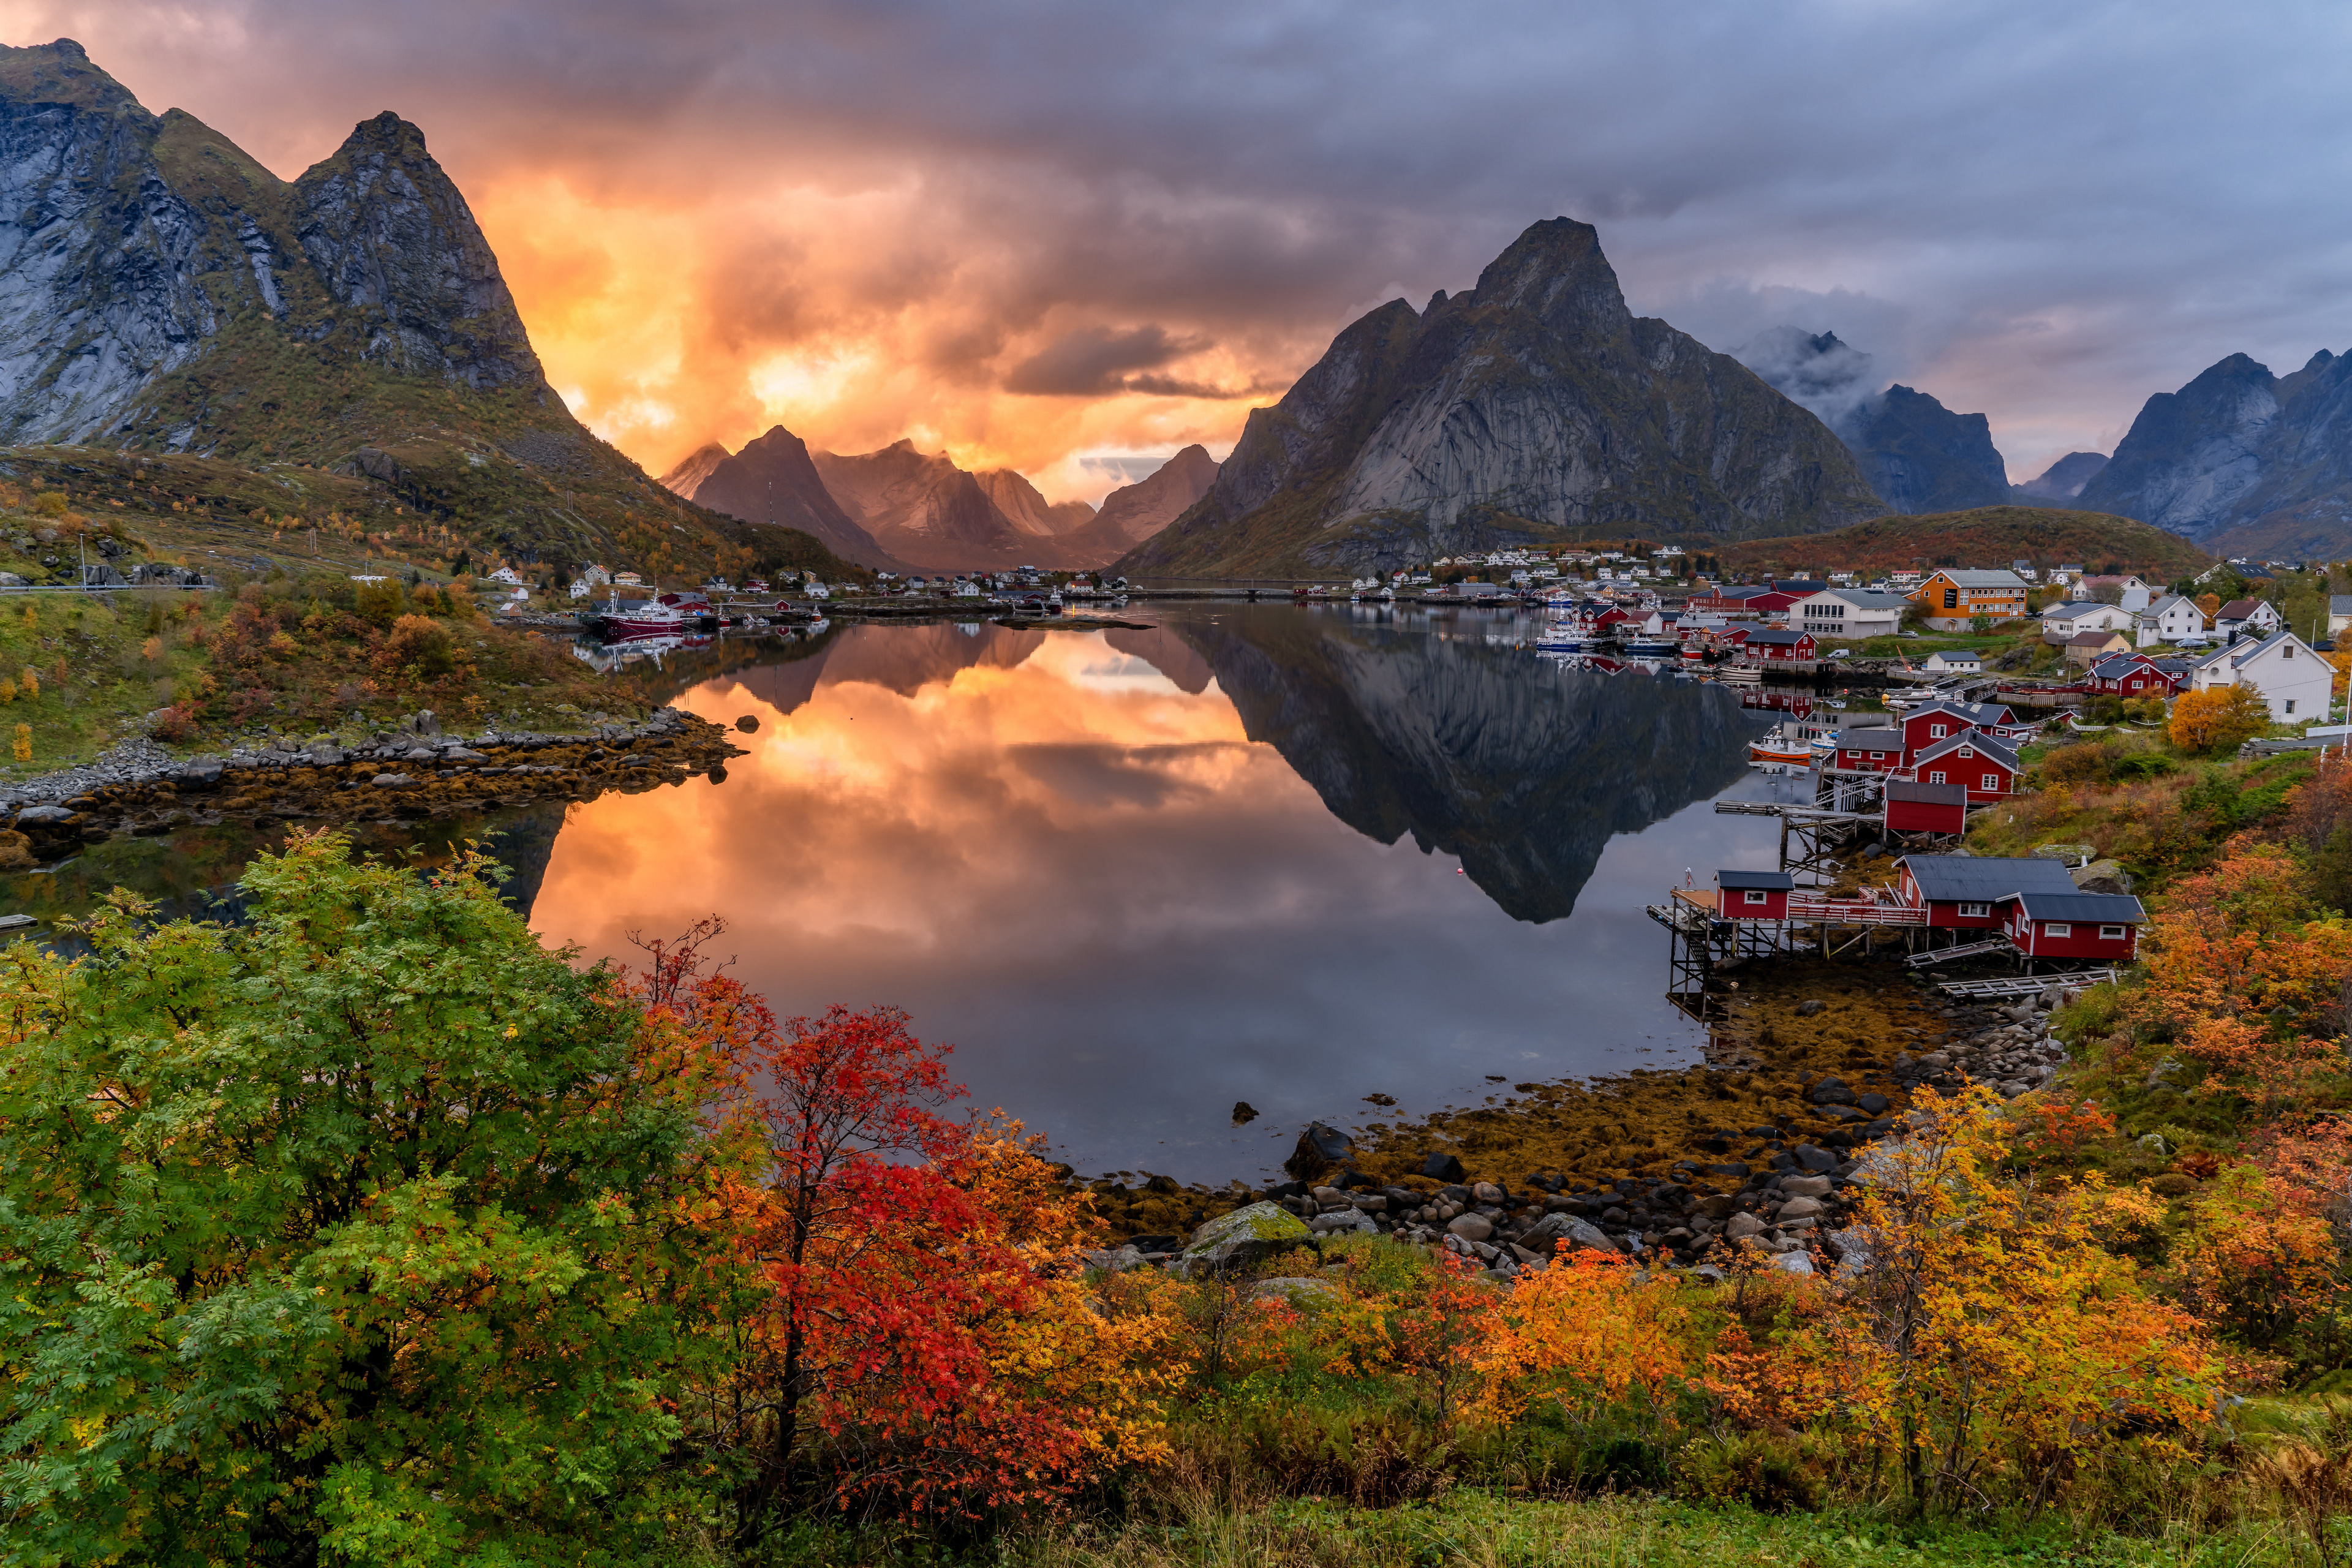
{"x":2240,"y":460}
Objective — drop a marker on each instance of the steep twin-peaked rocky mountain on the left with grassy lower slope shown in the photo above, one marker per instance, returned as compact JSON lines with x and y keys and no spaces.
{"x":163,"y":293}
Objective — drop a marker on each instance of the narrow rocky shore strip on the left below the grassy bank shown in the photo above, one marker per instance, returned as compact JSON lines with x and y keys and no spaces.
{"x":415,"y":770}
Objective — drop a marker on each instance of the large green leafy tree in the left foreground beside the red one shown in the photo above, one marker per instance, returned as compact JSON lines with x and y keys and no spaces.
{"x":333,"y":1235}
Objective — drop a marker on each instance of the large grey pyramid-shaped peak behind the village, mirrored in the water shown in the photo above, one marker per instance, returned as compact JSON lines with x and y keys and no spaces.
{"x":1532,"y":408}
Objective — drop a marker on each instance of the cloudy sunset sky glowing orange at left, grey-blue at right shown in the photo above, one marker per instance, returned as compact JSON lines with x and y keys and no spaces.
{"x":1076,"y":236}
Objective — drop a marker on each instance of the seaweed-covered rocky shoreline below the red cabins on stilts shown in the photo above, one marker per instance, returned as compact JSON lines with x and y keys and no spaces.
{"x":1746,"y":1153}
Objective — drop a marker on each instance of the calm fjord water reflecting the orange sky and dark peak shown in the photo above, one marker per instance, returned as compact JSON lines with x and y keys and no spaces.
{"x":1140,"y":876}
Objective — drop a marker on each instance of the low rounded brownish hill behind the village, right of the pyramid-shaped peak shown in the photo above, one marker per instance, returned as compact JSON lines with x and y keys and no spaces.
{"x":1986,"y":537}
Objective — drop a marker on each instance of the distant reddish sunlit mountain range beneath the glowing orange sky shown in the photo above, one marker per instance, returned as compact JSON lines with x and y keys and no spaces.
{"x":902,"y":509}
